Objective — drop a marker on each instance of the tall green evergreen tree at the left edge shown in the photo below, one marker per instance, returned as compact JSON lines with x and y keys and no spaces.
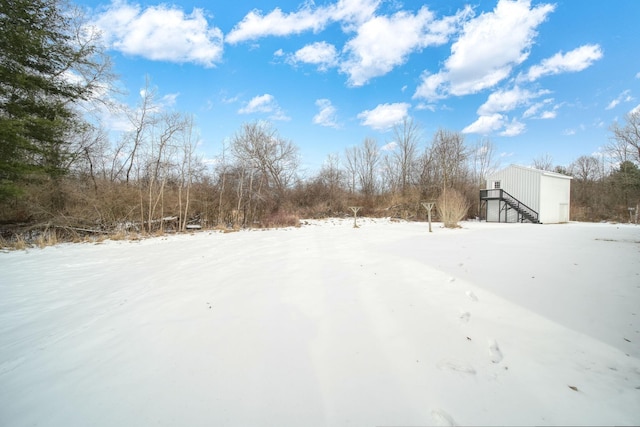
{"x":39,"y":85}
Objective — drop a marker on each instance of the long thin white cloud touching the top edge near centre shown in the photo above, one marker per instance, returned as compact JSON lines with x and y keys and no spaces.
{"x":256,"y":25}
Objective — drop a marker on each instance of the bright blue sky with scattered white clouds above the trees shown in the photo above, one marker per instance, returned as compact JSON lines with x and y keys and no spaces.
{"x":535,"y":77}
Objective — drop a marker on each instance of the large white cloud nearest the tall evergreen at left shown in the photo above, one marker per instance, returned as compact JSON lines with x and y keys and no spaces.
{"x":160,"y":33}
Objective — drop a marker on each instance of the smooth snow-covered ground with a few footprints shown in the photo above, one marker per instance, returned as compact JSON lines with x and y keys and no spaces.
{"x":327,"y":325}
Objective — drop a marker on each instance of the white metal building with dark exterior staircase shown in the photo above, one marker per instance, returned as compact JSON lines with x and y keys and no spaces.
{"x":523,"y":194}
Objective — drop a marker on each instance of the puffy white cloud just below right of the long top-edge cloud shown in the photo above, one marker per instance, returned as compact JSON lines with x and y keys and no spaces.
{"x":383,"y":42}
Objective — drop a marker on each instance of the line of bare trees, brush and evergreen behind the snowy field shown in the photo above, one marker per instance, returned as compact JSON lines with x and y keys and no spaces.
{"x":61,"y":170}
